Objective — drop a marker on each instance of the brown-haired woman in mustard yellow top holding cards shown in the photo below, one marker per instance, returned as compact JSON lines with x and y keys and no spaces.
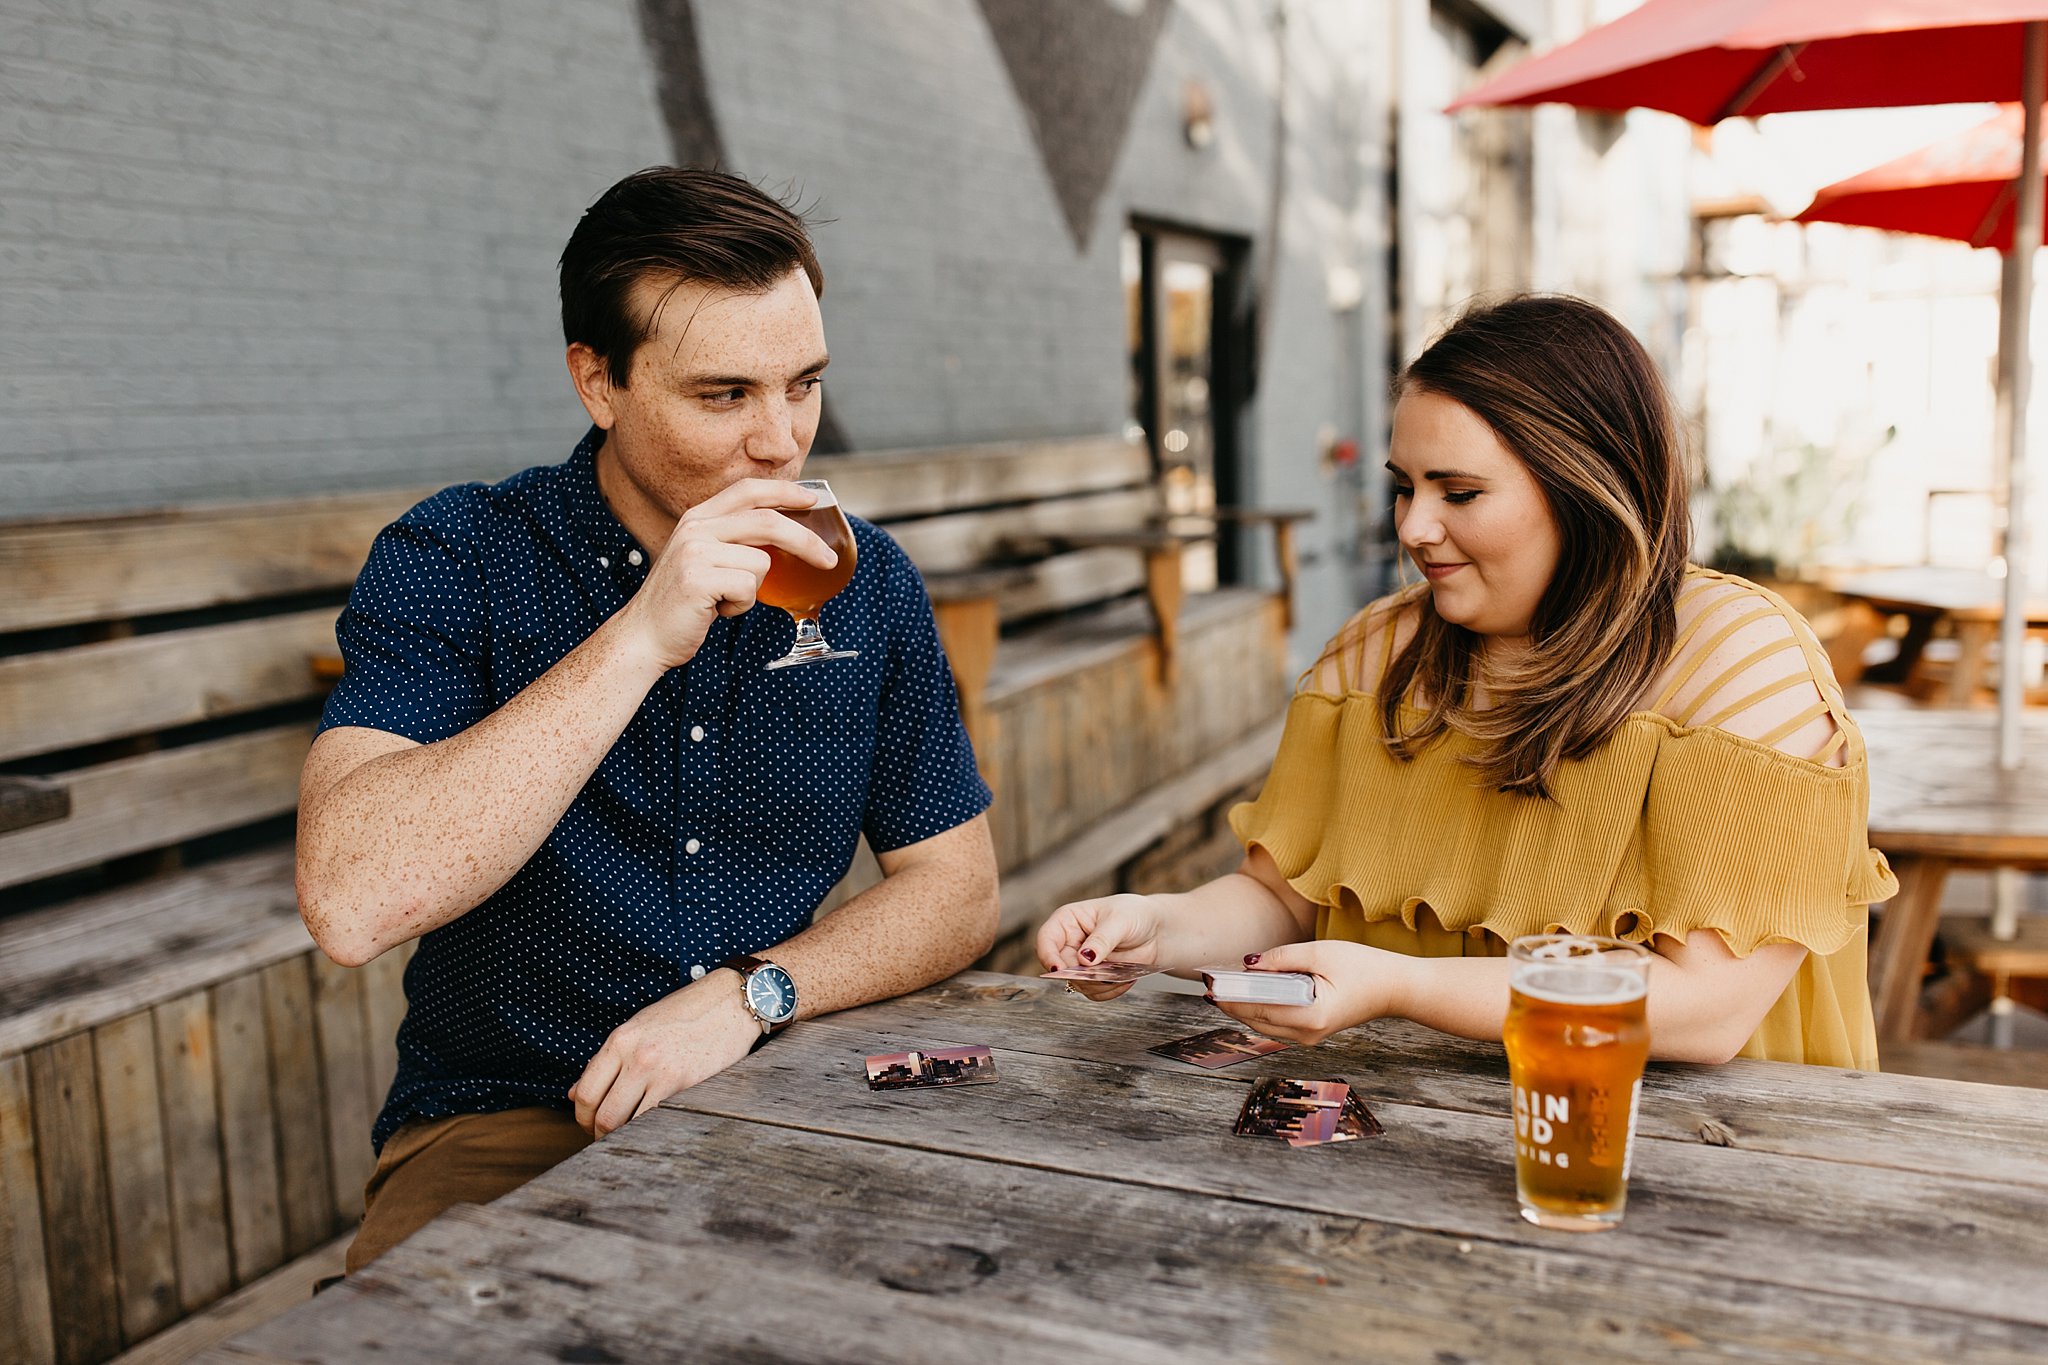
{"x":1566,"y":728}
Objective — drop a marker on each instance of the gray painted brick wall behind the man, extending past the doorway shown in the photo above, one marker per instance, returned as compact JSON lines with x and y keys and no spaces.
{"x":278,"y":247}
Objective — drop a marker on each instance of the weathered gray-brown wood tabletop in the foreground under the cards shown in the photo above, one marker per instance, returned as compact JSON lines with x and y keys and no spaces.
{"x":1095,"y":1206}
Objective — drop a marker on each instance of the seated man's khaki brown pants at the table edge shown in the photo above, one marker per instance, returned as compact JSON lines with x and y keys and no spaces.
{"x":472,"y":1159}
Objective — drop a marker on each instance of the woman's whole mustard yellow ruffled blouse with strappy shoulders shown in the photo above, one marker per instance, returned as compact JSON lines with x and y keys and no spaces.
{"x":1736,"y":803}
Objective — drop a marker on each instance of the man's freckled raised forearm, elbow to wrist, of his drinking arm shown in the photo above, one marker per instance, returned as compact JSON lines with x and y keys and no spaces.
{"x":411,"y":840}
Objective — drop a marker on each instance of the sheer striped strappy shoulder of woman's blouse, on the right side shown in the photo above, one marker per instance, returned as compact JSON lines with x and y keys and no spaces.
{"x":1750,"y":666}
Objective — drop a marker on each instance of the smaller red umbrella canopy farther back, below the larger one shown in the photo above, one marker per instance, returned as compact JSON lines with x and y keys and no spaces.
{"x":1961,"y":189}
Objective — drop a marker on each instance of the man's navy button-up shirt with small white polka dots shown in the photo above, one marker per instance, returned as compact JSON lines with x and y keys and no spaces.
{"x":714,"y":828}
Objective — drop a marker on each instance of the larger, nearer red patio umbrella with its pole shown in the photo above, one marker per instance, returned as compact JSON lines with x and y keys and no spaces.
{"x":1711,"y":60}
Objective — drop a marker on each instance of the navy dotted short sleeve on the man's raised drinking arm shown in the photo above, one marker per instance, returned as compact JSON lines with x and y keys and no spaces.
{"x":415,"y":633}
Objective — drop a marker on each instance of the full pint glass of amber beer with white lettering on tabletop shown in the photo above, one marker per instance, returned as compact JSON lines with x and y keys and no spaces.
{"x":1578,"y":1037}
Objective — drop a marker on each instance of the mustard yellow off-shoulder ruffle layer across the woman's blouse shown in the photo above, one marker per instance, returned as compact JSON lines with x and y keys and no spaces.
{"x":1666,"y":830}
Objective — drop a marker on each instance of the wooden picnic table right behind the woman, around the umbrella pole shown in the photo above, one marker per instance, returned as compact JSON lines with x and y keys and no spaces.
{"x":1940,"y":801}
